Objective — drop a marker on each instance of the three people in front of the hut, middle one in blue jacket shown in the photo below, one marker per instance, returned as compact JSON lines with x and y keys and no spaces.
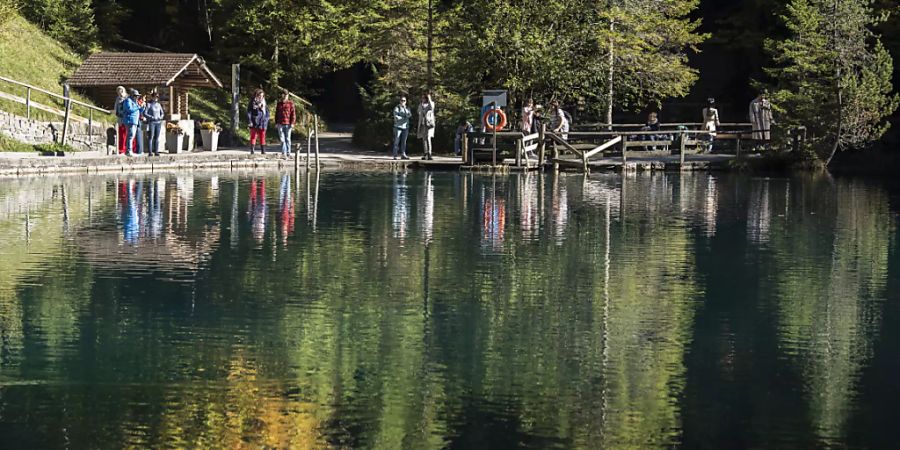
{"x":132,"y":113}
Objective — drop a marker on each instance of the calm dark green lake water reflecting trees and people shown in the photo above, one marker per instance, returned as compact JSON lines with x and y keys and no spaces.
{"x":448,"y":311}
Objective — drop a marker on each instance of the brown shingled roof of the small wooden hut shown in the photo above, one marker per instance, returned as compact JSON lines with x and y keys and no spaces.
{"x":143,"y":69}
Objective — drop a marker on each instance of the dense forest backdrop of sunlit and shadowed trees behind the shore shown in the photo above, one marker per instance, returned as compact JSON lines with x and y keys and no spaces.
{"x":827,"y":63}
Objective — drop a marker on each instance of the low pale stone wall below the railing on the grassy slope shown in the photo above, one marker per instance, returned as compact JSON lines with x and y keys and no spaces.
{"x":35,"y":132}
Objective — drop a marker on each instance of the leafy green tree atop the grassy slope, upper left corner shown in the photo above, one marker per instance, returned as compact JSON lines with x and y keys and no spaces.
{"x":69,"y":21}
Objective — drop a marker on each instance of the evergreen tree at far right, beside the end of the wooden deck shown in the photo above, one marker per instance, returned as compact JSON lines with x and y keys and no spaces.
{"x":833,"y":75}
